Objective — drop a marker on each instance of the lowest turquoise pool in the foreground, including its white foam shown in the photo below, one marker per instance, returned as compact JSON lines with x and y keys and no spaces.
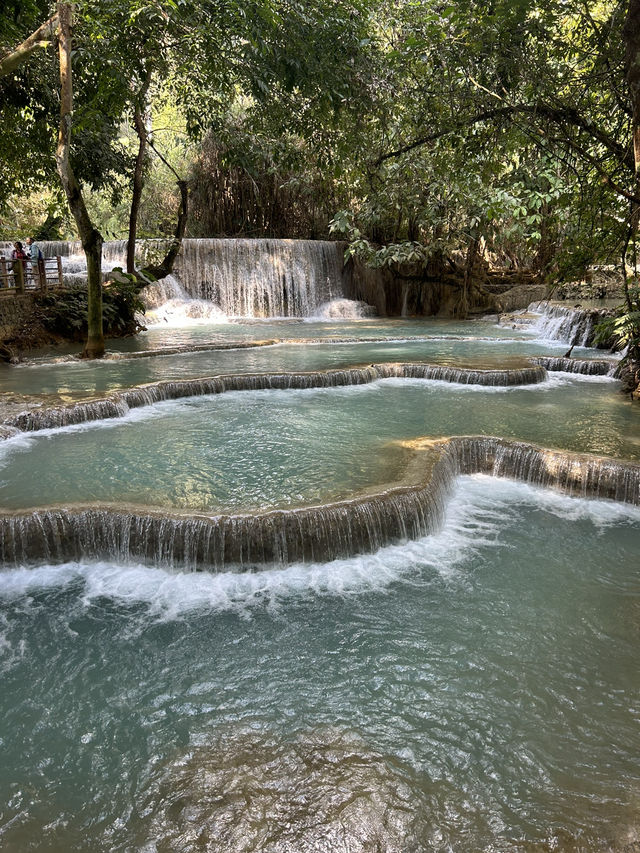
{"x":476,"y":690}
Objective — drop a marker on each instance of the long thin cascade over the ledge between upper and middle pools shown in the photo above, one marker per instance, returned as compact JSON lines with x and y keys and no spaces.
{"x":117,"y":405}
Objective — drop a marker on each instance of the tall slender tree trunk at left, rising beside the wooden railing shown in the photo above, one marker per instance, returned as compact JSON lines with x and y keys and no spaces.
{"x":89,"y":235}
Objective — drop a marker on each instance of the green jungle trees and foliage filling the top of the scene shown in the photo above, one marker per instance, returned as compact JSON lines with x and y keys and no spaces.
{"x":438,"y":134}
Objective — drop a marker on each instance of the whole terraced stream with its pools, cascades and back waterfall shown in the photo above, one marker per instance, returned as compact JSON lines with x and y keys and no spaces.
{"x":456,"y":672}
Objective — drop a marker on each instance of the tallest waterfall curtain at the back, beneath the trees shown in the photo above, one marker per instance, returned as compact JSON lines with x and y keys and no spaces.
{"x":262,"y":278}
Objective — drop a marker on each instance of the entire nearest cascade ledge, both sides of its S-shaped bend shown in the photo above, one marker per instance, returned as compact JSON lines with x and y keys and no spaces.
{"x":398,"y":512}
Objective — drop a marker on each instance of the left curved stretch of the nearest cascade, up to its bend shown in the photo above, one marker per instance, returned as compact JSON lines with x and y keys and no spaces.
{"x":313,"y":534}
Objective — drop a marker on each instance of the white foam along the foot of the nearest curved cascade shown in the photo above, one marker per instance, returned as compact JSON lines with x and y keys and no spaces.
{"x":475,"y":518}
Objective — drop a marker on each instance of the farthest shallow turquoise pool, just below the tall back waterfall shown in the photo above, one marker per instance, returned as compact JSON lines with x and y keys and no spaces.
{"x":442,"y":342}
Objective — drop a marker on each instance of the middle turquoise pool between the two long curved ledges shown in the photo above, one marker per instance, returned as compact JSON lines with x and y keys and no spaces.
{"x":245,"y":450}
